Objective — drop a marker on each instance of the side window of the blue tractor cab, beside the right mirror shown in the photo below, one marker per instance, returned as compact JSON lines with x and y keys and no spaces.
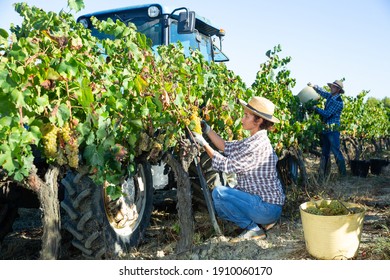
{"x":192,"y":41}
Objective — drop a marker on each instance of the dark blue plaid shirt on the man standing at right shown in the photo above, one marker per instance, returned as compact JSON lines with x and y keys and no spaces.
{"x":333,"y":107}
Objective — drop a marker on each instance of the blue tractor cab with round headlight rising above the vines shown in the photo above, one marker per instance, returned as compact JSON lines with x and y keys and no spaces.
{"x":165,"y":27}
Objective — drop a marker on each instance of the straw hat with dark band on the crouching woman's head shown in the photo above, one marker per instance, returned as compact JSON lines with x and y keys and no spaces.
{"x":261,"y":107}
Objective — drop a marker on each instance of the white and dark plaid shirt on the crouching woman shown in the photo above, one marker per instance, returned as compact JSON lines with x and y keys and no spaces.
{"x":253,"y":160}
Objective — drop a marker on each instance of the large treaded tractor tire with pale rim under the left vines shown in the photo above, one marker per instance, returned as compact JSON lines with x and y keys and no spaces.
{"x":102,"y":228}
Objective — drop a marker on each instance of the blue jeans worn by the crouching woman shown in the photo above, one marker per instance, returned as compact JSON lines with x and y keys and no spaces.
{"x":244,"y":209}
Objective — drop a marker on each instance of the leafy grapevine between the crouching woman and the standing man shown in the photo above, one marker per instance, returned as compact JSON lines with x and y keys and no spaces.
{"x":273,"y":81}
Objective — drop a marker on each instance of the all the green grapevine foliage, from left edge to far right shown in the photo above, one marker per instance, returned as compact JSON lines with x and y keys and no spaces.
{"x":127,"y":102}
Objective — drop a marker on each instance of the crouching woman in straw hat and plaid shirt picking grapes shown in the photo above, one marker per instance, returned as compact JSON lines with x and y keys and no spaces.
{"x":255,"y":203}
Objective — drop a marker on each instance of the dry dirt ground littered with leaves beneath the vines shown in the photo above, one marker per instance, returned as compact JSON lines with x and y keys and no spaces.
{"x":284,"y":242}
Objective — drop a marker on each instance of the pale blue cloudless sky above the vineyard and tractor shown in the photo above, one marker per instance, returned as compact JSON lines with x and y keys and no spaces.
{"x":327,"y":39}
